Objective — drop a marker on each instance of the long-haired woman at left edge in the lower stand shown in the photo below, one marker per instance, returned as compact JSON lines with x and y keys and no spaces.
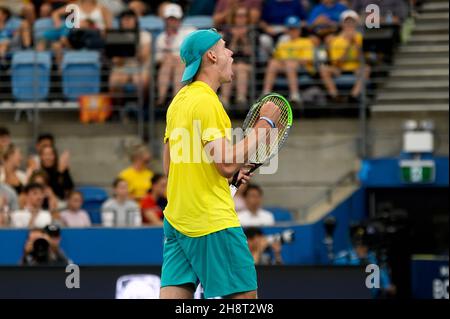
{"x":10,"y":172}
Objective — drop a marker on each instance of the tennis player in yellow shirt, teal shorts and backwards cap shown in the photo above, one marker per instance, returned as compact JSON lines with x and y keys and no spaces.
{"x":204,"y":241}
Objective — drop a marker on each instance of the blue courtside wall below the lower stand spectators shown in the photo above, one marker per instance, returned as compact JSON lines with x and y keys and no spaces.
{"x":143,"y":246}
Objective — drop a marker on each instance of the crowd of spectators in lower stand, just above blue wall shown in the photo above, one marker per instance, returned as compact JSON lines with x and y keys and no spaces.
{"x":41,"y":191}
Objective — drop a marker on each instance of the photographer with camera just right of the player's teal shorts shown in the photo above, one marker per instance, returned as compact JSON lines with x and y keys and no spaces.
{"x":263,"y":253}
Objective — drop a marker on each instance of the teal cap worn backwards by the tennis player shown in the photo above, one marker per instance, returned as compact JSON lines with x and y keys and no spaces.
{"x":193,"y":48}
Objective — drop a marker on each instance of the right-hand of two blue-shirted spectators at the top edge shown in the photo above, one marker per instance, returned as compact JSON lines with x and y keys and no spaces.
{"x":324,"y":17}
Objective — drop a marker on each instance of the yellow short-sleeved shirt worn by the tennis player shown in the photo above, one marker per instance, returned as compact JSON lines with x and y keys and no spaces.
{"x":199,"y":198}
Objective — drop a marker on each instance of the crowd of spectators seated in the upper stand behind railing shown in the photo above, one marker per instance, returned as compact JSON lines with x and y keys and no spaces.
{"x":284,"y":35}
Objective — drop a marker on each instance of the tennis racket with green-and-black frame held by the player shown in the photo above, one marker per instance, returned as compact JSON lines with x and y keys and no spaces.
{"x":265,"y":151}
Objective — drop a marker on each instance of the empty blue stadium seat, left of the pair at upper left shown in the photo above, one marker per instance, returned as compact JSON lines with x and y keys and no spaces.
{"x":30,"y":75}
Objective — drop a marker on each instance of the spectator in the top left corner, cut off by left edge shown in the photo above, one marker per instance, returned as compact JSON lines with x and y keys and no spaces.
{"x":8,"y":35}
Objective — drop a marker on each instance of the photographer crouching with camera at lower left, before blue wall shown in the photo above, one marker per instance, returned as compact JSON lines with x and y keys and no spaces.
{"x":42,"y":248}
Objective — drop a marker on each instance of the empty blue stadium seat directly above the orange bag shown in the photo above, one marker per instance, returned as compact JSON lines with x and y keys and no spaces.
{"x":81,"y":73}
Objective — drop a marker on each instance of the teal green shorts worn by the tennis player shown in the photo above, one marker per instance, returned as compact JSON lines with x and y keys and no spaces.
{"x":220,"y":261}
